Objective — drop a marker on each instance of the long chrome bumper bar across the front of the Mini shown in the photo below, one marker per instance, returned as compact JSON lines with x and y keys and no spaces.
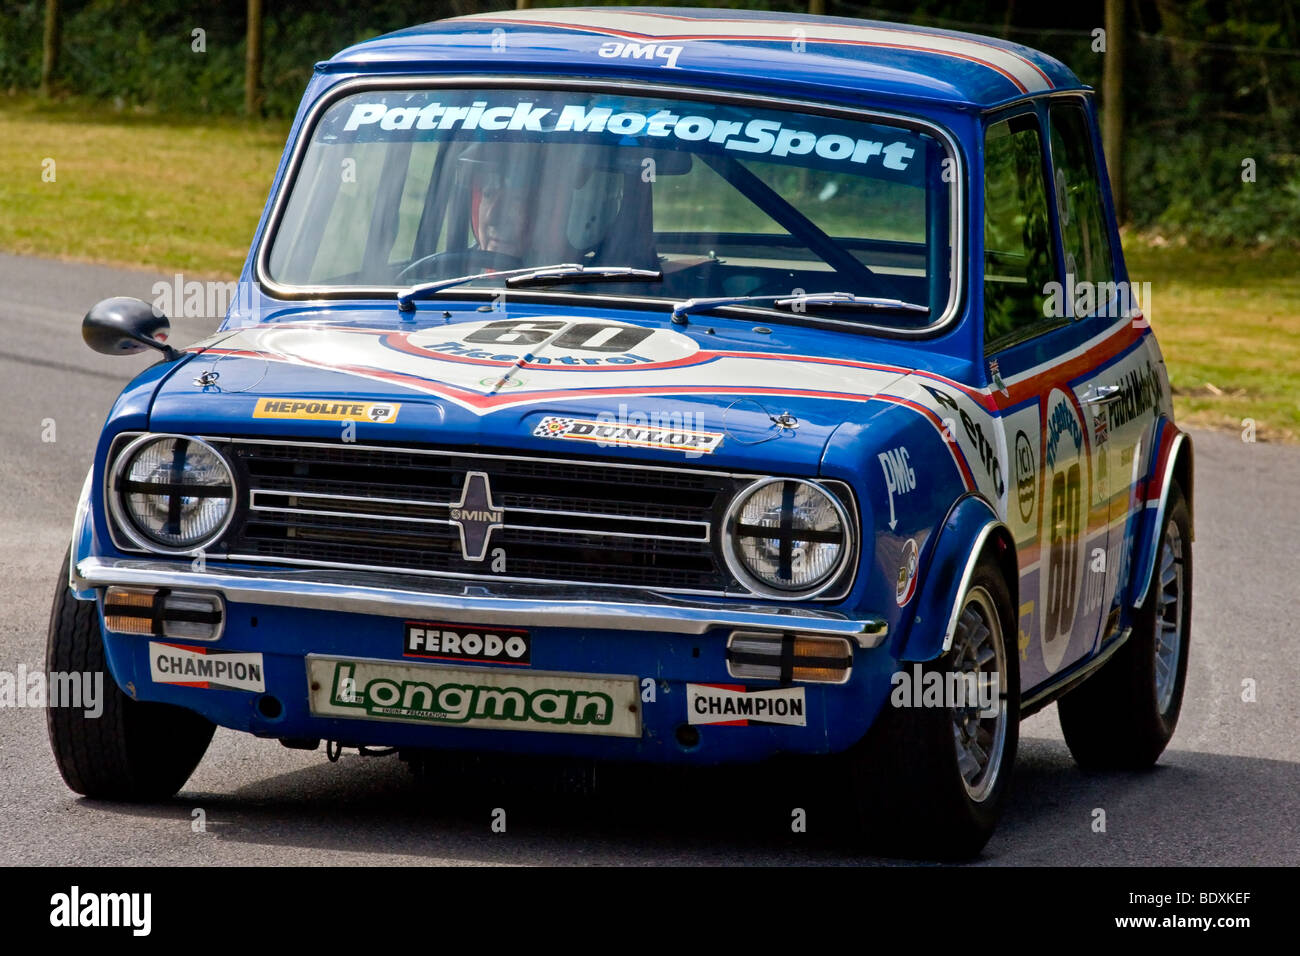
{"x":517,"y":605}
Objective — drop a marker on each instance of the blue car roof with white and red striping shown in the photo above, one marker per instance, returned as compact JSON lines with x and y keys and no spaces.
{"x":748,"y":47}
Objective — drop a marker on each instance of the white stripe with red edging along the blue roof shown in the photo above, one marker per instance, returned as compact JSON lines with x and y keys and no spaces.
{"x":1021,"y":71}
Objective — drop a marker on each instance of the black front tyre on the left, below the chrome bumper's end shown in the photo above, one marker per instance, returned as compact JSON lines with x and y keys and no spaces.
{"x":133,"y":751}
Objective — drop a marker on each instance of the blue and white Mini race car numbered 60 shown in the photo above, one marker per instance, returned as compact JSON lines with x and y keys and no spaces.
{"x":655,"y":386}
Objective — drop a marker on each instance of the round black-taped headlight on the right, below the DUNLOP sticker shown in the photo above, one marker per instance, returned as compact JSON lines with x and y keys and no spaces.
{"x":787,"y":538}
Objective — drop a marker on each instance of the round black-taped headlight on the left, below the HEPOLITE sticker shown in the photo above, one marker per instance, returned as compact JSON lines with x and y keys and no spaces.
{"x":174,"y":494}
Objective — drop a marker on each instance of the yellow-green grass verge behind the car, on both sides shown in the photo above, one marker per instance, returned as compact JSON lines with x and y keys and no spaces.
{"x":140,"y":191}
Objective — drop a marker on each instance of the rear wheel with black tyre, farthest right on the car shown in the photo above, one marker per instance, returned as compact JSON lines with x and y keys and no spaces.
{"x":1124,"y":716}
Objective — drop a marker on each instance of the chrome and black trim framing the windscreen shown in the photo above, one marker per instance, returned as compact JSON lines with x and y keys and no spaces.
{"x":333,"y":293}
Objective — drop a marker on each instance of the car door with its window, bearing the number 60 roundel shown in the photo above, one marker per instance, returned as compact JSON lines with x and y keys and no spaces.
{"x":1041,"y":378}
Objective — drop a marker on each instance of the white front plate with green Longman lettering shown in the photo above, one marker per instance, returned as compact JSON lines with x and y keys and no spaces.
{"x":474,"y":698}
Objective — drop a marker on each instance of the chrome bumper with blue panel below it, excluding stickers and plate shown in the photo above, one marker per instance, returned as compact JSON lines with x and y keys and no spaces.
{"x":289,"y":618}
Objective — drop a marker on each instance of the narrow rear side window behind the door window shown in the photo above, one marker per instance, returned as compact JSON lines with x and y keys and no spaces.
{"x":1084,"y":222}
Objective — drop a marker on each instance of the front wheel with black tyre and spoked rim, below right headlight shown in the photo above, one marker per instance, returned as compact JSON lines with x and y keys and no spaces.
{"x":931,"y":781}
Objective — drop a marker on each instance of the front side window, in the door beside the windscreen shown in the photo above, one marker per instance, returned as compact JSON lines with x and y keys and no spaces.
{"x":1019,"y":249}
